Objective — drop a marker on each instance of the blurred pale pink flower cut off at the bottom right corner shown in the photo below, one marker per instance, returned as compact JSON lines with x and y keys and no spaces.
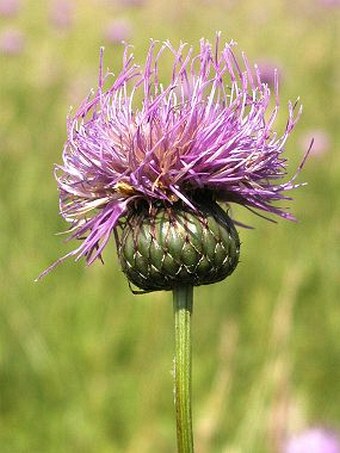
{"x":314,"y":440}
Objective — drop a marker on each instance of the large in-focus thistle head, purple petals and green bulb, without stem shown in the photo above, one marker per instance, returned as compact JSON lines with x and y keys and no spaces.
{"x":144,"y":154}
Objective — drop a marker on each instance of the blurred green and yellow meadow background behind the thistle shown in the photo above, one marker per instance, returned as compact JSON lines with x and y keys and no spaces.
{"x":85,"y":366}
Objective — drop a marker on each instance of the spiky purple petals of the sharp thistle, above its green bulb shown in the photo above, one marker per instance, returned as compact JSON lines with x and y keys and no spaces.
{"x":207,"y":130}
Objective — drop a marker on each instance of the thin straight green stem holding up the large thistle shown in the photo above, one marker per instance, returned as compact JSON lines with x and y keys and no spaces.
{"x":183,"y":297}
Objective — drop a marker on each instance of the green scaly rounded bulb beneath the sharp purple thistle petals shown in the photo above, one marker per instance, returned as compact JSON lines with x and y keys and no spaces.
{"x":165,"y":246}
